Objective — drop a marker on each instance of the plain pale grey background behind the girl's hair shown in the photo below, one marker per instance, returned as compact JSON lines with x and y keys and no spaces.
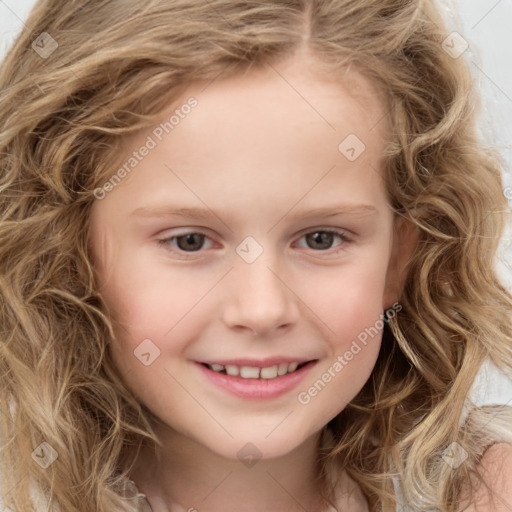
{"x":485,"y":24}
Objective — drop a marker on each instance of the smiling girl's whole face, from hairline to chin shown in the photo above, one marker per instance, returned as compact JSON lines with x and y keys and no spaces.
{"x":258,"y":156}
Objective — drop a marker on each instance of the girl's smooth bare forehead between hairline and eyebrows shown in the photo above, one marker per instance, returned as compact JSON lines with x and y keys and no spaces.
{"x":272,"y":132}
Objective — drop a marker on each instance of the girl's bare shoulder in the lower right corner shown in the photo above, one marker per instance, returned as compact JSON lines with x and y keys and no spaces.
{"x":494,"y":492}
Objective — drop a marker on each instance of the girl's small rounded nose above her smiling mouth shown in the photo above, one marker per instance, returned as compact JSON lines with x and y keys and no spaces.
{"x":260,"y":300}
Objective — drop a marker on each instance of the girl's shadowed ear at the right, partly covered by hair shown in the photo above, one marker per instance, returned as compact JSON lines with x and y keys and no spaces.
{"x":405,"y":238}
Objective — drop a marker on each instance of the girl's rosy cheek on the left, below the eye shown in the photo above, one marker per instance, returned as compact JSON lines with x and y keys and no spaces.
{"x":152,"y":310}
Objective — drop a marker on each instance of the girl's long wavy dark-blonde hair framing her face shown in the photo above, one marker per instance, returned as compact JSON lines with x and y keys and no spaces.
{"x":118,"y":64}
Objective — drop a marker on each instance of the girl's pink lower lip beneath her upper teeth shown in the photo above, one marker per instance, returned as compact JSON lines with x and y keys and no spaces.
{"x":257,"y":388}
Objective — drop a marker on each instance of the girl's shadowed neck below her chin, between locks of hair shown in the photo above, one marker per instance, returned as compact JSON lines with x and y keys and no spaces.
{"x":185,"y":475}
